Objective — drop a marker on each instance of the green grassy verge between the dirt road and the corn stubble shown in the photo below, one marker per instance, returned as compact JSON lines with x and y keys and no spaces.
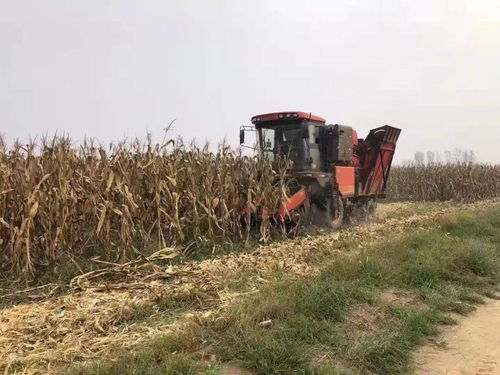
{"x":363,"y":313}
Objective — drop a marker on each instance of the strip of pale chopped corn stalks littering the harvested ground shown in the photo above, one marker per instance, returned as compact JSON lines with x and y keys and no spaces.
{"x":87,"y":324}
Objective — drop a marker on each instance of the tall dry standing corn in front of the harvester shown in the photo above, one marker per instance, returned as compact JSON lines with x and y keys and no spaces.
{"x":57,"y":200}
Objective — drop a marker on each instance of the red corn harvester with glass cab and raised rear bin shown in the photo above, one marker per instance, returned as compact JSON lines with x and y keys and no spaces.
{"x":335,"y":175}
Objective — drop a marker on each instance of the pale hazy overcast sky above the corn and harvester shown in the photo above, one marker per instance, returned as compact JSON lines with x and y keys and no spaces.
{"x":116,"y":68}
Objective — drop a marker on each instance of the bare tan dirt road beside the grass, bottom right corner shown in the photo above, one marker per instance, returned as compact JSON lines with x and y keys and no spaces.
{"x":470,"y":348}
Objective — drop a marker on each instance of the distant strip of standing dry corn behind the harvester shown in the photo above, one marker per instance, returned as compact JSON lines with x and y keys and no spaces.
{"x":443,"y":182}
